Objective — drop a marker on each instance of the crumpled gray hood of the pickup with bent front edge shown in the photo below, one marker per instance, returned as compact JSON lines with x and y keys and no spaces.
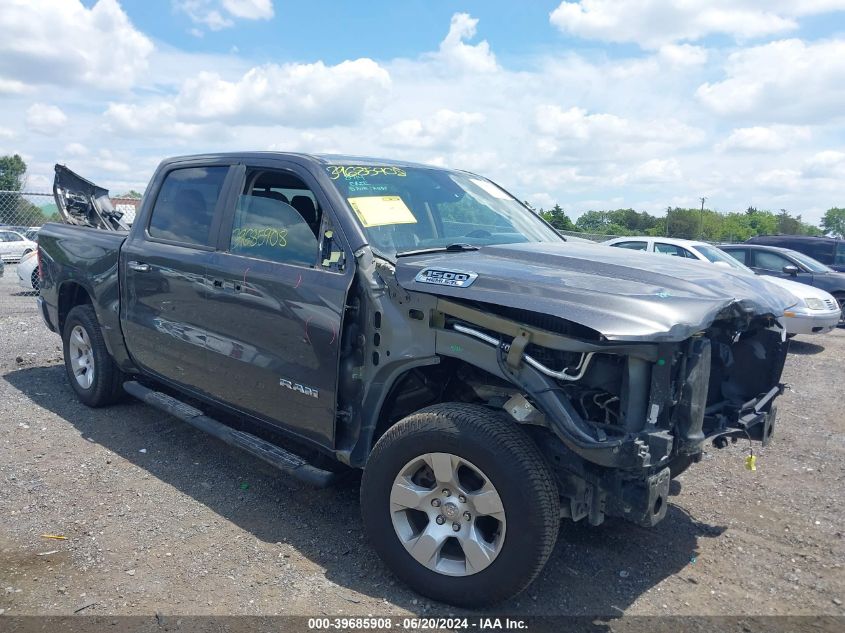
{"x":623,"y":294}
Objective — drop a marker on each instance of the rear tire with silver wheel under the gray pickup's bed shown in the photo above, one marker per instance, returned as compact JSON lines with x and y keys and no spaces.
{"x":92,"y":372}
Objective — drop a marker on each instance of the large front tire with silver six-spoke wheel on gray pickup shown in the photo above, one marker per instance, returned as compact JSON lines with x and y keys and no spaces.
{"x":459,"y":503}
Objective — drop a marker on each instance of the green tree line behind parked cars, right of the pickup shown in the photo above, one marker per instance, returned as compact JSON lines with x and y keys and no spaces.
{"x":696,"y":224}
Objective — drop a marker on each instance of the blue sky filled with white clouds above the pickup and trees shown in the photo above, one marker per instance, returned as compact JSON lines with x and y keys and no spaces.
{"x":593,"y":104}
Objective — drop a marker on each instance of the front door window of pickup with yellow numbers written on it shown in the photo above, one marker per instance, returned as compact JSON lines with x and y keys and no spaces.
{"x":277,"y":218}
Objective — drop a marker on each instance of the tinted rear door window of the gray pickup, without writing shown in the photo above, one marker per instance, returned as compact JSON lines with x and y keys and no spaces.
{"x":184,"y":209}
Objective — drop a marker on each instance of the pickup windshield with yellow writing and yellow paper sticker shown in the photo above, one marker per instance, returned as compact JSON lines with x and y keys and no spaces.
{"x":406,"y":209}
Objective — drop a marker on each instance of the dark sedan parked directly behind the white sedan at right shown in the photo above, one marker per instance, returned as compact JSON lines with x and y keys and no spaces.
{"x":783,"y":262}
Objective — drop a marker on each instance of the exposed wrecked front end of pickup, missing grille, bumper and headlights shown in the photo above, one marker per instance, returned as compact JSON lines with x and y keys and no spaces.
{"x":630,"y":417}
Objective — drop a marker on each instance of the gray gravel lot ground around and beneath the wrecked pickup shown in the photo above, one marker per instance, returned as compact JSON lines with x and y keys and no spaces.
{"x":159,"y":517}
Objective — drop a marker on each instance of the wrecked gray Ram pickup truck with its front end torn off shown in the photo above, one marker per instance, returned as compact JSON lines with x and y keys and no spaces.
{"x":330,"y":314}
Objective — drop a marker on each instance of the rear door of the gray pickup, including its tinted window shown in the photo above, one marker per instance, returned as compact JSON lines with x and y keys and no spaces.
{"x":163,"y":268}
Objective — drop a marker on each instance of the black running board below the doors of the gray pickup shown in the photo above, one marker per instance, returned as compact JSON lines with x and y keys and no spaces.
{"x":284,"y":460}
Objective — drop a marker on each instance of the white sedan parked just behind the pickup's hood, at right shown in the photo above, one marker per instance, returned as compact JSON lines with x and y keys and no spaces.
{"x":815,"y":311}
